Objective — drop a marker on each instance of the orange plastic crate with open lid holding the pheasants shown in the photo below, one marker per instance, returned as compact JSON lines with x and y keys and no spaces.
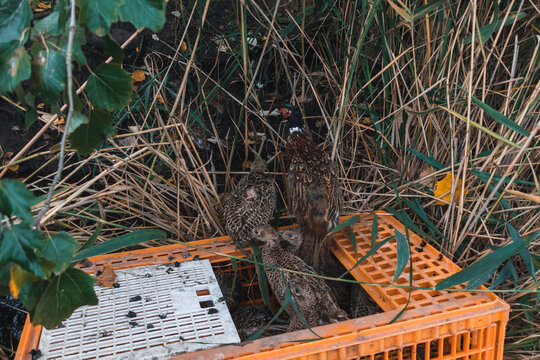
{"x":442,"y":325}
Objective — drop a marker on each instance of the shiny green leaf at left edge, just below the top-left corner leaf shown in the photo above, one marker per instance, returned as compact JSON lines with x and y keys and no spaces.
{"x":14,"y":68}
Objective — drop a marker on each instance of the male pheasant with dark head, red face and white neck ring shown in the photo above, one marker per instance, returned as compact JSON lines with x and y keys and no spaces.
{"x":313,"y":190}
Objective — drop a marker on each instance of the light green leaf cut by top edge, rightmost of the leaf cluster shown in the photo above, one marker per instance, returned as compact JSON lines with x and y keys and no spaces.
{"x":144,"y":13}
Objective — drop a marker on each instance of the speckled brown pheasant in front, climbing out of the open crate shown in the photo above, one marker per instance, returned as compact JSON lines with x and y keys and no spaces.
{"x":312,"y":296}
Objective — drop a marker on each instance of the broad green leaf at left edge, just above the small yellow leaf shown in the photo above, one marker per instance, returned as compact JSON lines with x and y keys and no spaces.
{"x":18,"y":244}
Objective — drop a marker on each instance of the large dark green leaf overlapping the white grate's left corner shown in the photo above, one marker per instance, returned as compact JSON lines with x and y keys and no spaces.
{"x":65,"y":293}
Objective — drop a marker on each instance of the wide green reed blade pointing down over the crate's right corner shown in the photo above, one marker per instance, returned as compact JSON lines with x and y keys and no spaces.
{"x":487,"y":263}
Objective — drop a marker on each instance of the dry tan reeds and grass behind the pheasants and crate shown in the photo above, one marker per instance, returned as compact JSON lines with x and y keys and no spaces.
{"x":398,"y":93}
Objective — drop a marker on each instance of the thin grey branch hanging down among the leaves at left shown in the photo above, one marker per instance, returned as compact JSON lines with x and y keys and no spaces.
{"x":72,"y":28}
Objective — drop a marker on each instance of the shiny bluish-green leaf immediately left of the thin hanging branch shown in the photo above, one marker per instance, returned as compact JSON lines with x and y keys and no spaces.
{"x":51,"y":74}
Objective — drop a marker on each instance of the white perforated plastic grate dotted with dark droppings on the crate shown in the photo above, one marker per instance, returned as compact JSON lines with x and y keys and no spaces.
{"x":156,"y":312}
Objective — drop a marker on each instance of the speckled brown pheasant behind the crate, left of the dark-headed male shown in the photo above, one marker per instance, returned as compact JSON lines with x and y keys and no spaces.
{"x":251,"y":204}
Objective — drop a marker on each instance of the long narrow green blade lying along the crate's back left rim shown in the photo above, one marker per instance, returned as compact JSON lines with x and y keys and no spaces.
{"x":133,"y":238}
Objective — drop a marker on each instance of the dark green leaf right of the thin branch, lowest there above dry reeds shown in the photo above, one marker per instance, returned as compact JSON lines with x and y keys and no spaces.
{"x":87,"y":136}
